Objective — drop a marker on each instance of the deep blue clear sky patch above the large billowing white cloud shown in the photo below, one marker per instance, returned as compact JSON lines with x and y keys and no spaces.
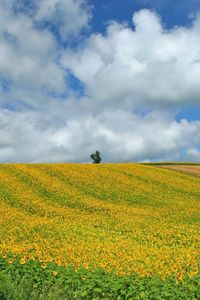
{"x":174,"y":13}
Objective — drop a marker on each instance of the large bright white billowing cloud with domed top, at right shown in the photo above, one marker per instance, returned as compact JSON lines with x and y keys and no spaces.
{"x":146,"y":64}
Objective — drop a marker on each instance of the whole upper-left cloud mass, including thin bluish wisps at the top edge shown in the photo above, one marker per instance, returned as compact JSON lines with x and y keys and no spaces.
{"x":29,"y":55}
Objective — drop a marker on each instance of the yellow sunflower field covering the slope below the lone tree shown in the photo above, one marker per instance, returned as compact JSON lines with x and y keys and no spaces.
{"x":119,"y":219}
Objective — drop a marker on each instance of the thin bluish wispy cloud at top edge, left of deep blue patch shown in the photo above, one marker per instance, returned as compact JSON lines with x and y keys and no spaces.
{"x":66,"y":16}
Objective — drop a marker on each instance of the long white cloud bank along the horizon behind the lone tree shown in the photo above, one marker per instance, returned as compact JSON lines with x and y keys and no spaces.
{"x":120,"y":136}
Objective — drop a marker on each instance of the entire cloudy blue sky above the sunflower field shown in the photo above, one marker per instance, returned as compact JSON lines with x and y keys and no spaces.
{"x":121,"y":77}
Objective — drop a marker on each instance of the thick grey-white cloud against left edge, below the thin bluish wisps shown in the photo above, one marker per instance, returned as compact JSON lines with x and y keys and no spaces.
{"x":28,"y":57}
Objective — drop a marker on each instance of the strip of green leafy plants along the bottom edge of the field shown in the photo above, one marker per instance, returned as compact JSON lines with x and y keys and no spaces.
{"x":31,"y":282}
